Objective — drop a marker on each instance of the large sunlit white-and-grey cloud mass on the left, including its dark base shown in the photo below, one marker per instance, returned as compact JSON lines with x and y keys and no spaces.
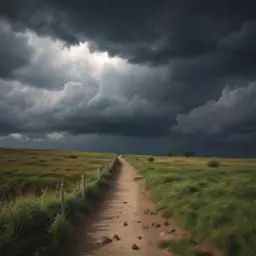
{"x":75,"y":91}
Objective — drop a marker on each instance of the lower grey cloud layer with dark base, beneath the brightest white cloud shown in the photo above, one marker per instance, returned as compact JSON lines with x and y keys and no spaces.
{"x":25,"y":110}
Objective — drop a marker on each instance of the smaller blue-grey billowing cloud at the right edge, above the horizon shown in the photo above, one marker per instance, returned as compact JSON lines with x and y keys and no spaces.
{"x":233,"y":113}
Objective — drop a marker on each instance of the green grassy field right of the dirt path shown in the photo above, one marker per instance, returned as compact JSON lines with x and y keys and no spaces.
{"x":217,"y":204}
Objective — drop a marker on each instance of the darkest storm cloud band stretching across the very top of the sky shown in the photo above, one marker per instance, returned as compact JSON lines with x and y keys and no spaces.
{"x":139,"y":30}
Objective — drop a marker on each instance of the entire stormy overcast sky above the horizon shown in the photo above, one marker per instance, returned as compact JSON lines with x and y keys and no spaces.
{"x":131,"y":76}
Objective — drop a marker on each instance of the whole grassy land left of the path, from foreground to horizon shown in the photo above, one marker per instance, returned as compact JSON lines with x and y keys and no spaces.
{"x":31,"y":222}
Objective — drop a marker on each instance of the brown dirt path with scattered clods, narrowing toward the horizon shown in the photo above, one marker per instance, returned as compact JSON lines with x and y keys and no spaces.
{"x":125,"y":204}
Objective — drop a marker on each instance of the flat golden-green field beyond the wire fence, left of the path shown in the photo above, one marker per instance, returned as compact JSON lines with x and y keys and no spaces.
{"x":25,"y":171}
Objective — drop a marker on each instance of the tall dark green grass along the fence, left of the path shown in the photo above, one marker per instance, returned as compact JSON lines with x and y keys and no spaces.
{"x":34,"y":226}
